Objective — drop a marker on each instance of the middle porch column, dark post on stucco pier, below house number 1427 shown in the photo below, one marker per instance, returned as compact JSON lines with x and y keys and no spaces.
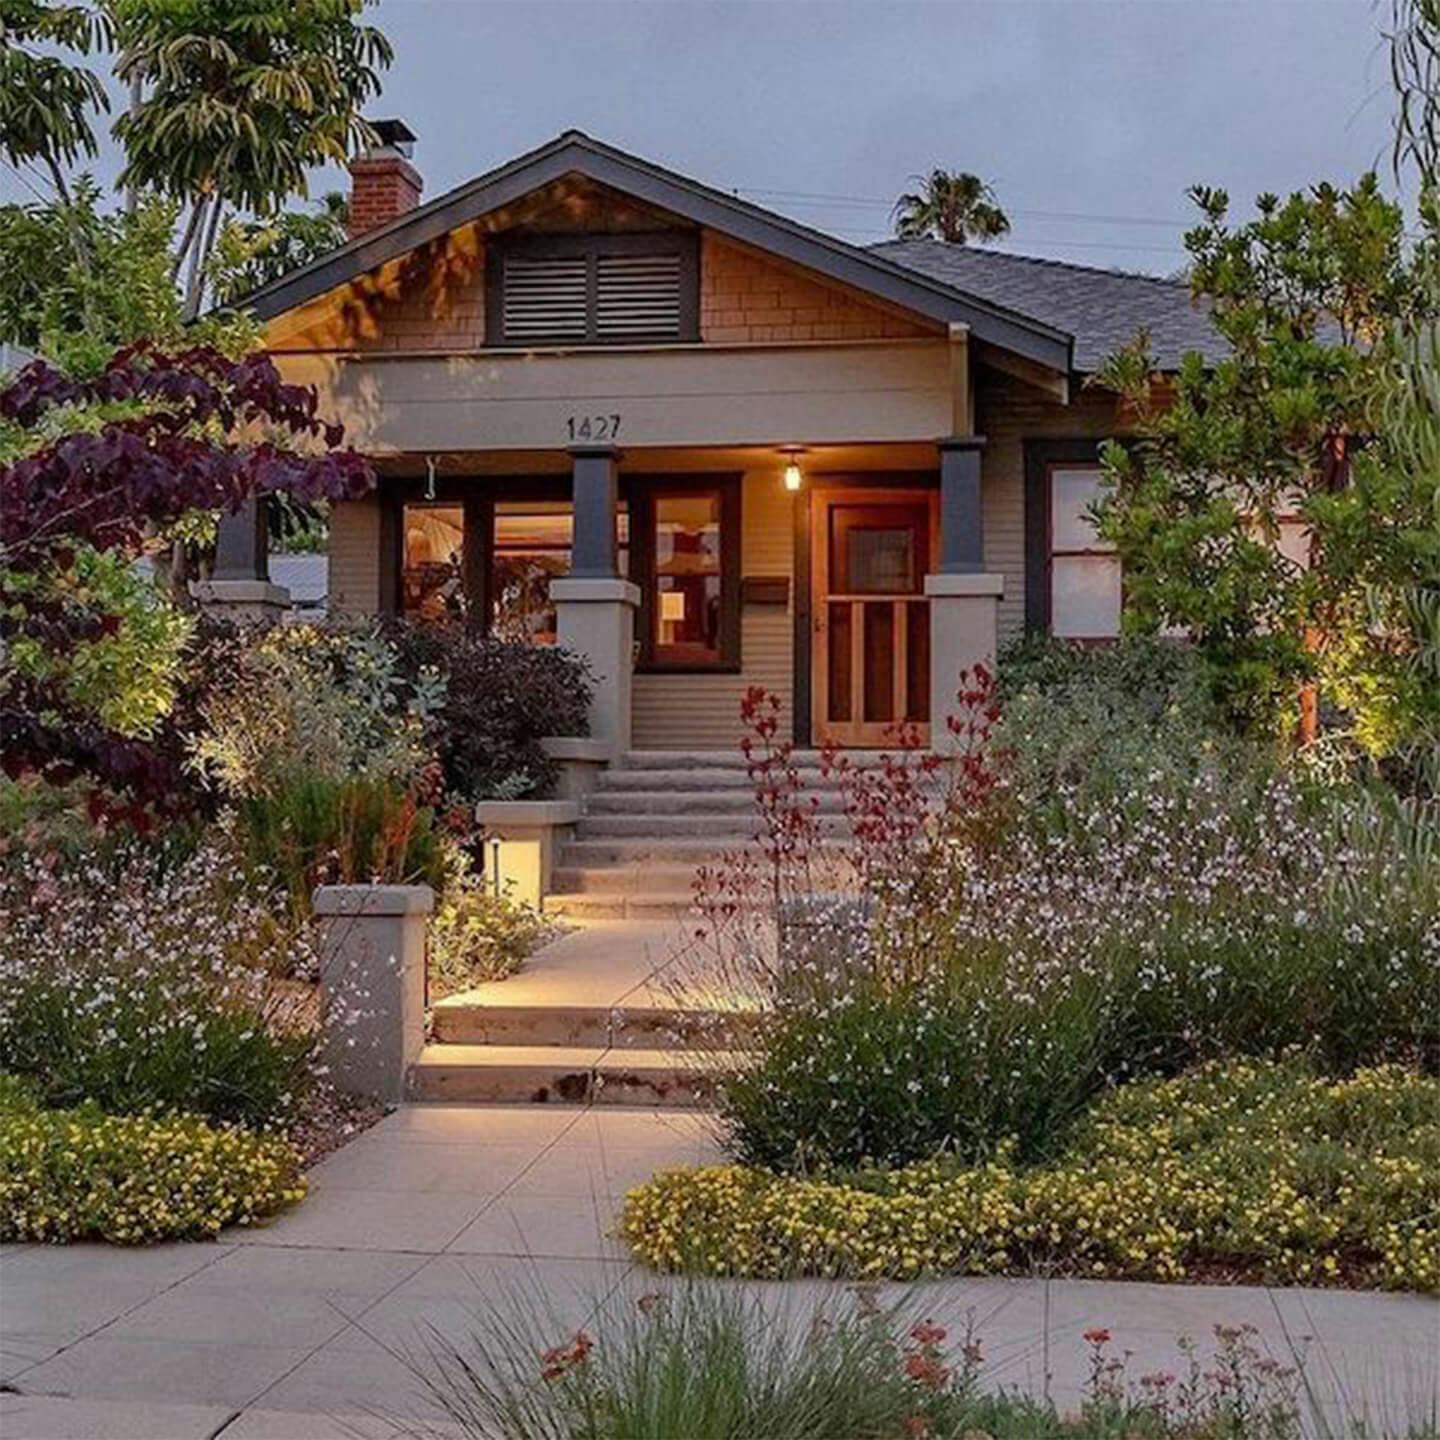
{"x":595,"y":607}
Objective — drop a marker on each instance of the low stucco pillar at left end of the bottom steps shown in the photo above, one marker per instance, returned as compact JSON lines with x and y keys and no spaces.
{"x":372,"y":984}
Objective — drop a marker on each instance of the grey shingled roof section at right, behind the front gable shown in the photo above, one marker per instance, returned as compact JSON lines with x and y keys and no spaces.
{"x":1102,"y":309}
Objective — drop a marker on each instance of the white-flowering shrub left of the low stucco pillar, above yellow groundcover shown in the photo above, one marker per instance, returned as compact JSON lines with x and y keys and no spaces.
{"x":148,"y":980}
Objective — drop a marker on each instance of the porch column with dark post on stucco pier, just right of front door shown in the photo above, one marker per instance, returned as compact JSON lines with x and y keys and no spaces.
{"x":964,"y":600}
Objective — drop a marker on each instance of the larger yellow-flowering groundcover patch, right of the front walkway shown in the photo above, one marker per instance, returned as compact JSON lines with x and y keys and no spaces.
{"x":1246,"y":1171}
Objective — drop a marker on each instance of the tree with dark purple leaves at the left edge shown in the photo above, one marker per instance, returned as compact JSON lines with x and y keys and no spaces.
{"x":109,"y":463}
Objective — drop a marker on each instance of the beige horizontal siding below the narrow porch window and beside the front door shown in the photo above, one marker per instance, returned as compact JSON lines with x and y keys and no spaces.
{"x":703,"y":712}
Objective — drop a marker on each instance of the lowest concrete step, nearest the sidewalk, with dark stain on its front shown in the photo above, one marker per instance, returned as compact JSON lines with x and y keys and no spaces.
{"x":567,"y":1075}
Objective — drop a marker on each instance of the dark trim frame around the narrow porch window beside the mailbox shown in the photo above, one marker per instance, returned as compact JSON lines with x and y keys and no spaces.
{"x":643,"y":492}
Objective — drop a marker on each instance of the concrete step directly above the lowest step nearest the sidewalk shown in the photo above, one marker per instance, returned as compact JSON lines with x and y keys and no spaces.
{"x":460,"y":1022}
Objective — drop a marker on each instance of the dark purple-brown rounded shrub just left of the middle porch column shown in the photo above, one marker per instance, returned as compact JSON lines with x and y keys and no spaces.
{"x":500,"y":701}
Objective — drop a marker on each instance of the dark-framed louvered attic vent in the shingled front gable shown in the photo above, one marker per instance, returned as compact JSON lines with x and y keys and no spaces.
{"x":594,"y":290}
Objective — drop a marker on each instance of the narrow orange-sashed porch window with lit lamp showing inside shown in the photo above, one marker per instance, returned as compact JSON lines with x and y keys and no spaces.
{"x":688,"y":578}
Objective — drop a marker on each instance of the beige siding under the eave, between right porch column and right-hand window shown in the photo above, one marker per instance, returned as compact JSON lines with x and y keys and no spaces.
{"x":1009,"y":414}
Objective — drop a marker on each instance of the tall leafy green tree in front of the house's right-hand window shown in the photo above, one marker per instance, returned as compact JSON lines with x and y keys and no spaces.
{"x":1314,"y":297}
